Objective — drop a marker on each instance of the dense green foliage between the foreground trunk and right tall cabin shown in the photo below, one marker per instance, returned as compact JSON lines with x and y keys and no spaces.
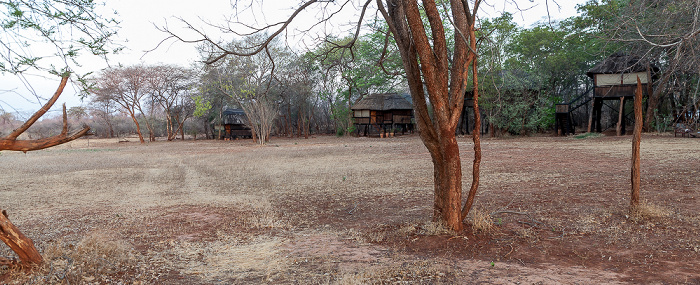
{"x":524,"y":72}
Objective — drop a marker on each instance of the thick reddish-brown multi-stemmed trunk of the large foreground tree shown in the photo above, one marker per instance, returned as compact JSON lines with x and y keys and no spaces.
{"x":428,"y":68}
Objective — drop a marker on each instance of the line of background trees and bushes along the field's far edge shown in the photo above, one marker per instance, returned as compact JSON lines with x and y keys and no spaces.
{"x":524,"y":72}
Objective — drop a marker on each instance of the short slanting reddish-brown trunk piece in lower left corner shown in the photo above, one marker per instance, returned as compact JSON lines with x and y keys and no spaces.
{"x":18,"y":242}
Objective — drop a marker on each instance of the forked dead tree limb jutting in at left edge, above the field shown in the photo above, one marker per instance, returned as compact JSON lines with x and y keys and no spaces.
{"x":10,"y":142}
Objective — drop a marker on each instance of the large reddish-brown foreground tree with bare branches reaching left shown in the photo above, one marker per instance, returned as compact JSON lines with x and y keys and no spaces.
{"x":436,"y":70}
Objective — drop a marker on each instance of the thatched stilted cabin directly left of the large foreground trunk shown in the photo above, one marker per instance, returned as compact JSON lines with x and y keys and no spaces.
{"x":383,"y":113}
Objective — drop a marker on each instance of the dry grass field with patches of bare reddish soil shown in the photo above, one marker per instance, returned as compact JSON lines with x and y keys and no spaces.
{"x":350,"y":210}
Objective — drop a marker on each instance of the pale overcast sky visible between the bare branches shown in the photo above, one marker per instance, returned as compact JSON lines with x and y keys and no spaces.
{"x":144,"y":43}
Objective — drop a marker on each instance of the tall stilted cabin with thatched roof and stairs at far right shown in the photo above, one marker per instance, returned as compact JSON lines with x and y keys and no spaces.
{"x":614,"y":84}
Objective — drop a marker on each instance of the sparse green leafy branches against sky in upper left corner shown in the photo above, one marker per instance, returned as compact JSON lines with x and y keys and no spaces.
{"x":71,"y":26}
